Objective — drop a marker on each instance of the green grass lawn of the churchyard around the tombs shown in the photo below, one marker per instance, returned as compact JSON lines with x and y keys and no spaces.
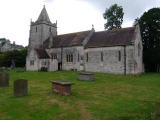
{"x":110,"y":97}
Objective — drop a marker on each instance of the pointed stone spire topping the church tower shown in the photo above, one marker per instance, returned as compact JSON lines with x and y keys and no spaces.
{"x":43,"y":17}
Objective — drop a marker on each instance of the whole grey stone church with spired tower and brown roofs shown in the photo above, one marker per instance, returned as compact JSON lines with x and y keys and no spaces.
{"x":116,"y":51}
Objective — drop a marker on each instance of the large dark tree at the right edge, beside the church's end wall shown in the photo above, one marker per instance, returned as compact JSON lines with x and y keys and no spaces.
{"x":150,"y":31}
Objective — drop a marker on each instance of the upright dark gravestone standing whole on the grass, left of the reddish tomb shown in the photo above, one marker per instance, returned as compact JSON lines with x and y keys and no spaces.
{"x":20,"y":87}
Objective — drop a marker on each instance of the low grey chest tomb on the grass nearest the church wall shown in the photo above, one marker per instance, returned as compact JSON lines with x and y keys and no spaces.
{"x":86,"y":76}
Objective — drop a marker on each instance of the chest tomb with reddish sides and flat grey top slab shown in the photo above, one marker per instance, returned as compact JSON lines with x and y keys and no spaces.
{"x":61,"y":87}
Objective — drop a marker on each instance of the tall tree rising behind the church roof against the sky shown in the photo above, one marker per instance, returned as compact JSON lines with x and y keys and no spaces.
{"x":114,"y":16}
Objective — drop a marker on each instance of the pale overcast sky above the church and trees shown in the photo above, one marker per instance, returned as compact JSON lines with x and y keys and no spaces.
{"x":72,"y":15}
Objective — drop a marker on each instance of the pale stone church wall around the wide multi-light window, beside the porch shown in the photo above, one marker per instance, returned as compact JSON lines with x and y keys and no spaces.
{"x":61,"y":53}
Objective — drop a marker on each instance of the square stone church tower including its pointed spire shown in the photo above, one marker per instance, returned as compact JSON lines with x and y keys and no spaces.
{"x":41,"y":29}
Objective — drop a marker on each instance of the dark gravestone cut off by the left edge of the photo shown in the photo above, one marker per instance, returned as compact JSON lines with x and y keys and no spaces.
{"x":4,"y":79}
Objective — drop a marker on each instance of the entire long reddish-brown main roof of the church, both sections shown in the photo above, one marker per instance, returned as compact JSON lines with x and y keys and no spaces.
{"x":117,"y":37}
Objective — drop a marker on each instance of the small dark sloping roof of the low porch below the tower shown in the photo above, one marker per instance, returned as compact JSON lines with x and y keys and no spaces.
{"x":42,"y":54}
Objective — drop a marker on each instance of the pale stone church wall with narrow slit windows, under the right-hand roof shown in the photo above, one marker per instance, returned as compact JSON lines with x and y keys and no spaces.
{"x":118,"y":60}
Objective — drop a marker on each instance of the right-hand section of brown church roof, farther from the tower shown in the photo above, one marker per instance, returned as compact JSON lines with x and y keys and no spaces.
{"x":118,"y":37}
